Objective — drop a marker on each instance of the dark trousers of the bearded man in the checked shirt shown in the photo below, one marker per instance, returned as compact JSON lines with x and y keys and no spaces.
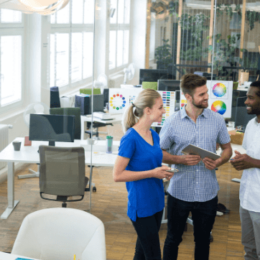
{"x":203,"y":216}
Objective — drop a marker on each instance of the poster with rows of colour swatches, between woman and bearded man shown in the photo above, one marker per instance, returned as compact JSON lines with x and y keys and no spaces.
{"x":168,"y":98}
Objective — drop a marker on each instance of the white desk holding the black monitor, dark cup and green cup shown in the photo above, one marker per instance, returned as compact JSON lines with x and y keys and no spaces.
{"x":29,"y":154}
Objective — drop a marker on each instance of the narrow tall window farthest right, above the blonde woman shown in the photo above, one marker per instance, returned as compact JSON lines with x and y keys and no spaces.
{"x":119,"y":33}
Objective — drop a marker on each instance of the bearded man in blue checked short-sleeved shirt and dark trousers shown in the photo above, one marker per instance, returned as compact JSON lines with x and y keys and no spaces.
{"x":194,"y":188}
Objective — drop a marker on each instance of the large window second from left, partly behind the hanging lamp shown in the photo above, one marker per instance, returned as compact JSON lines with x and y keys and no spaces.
{"x":71,"y":44}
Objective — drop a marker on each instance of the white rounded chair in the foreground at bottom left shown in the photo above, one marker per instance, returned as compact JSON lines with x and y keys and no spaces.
{"x":61,"y":233}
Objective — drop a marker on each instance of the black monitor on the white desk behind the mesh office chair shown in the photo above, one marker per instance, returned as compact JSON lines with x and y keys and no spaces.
{"x":51,"y":128}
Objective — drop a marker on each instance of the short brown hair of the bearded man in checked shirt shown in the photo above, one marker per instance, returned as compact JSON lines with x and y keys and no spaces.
{"x":191,"y":81}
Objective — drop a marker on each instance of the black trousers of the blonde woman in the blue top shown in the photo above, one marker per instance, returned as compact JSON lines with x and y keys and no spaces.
{"x":148,"y":243}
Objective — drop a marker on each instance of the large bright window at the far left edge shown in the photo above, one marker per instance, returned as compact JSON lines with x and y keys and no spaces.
{"x":11,"y":38}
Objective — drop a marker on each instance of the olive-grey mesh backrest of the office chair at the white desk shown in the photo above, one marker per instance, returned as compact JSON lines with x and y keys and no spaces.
{"x":62,"y":170}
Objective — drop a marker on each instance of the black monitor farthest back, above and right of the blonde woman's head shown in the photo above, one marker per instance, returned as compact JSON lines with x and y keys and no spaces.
{"x":150,"y":75}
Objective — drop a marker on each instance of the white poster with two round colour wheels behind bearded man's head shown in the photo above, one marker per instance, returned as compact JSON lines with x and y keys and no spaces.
{"x":220,"y":97}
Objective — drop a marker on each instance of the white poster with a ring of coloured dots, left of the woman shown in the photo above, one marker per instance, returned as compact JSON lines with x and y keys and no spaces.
{"x":120,"y":99}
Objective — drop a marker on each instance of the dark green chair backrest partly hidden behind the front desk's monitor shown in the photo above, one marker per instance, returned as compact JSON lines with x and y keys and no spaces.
{"x":70,"y":111}
